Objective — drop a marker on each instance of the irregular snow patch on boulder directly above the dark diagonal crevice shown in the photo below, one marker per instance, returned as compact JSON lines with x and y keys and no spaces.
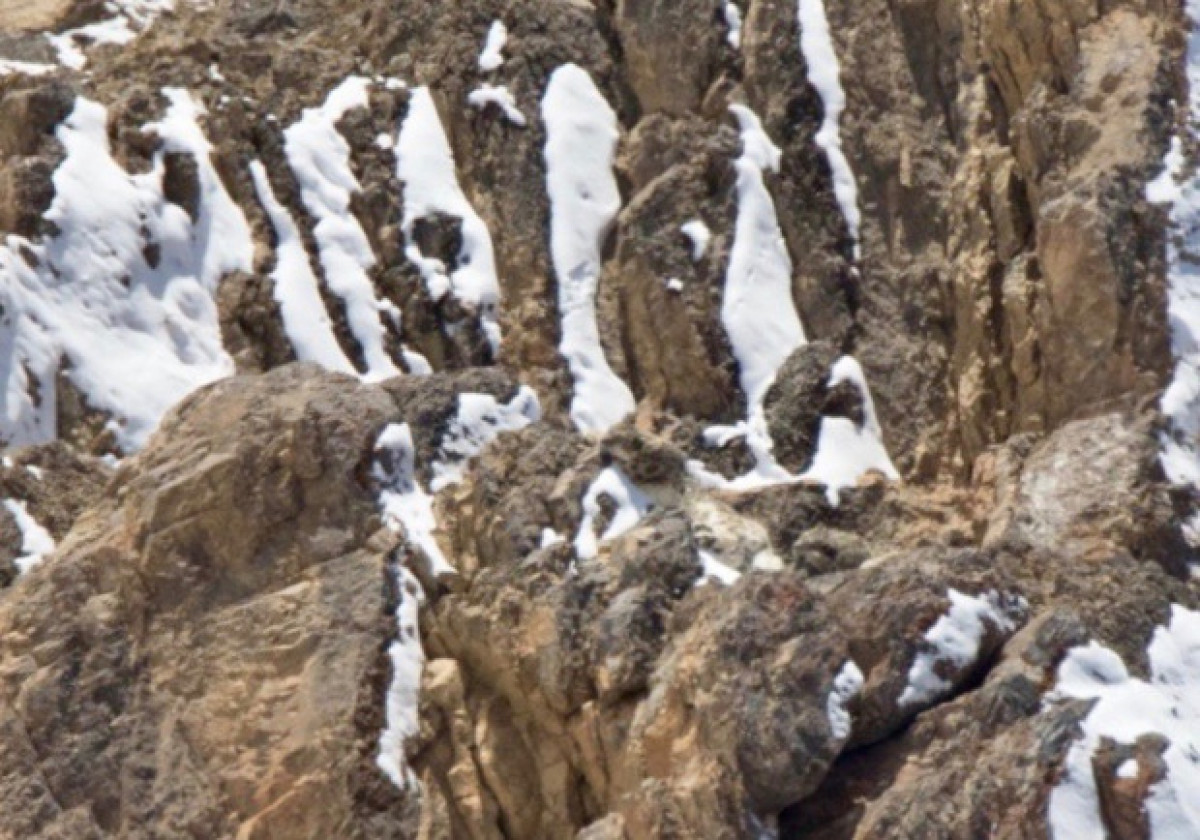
{"x":955,"y":640}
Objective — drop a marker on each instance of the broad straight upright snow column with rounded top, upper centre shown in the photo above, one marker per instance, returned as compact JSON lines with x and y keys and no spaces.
{"x":581,"y":145}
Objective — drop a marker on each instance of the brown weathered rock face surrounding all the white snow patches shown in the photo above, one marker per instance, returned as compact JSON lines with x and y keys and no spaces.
{"x":205,"y":656}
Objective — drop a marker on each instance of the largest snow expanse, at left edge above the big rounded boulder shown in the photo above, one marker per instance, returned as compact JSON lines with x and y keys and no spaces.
{"x":123,"y":297}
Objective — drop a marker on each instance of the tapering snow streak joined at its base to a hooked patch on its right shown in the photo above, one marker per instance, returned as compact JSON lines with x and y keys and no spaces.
{"x":764,"y":326}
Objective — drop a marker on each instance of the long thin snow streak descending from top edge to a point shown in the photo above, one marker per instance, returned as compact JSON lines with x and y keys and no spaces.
{"x":825,"y":75}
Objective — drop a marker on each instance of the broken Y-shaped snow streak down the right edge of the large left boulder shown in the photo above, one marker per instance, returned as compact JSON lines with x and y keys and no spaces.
{"x":409,"y":508}
